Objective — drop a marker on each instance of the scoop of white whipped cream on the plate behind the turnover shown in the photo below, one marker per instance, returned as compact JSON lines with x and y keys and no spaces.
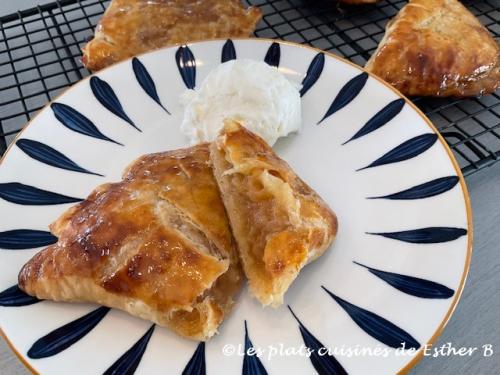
{"x":251,"y":92}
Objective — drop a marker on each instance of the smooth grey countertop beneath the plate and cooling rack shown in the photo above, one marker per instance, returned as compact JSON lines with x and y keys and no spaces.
{"x":476,"y":319}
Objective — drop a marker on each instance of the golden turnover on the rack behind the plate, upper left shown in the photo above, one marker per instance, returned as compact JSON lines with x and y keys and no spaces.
{"x":130,"y":27}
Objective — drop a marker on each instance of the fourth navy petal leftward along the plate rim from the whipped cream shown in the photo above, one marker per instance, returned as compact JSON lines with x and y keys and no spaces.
{"x":77,"y":122}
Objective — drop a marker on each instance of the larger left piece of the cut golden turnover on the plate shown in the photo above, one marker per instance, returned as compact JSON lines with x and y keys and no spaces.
{"x":157,"y":245}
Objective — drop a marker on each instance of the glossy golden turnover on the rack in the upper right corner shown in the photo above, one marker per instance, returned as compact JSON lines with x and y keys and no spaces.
{"x":437,"y":48}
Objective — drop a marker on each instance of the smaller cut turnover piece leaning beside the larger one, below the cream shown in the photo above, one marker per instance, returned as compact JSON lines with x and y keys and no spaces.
{"x":280,"y":224}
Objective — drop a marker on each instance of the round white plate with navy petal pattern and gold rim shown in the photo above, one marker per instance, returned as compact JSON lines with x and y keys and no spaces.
{"x":412,"y":246}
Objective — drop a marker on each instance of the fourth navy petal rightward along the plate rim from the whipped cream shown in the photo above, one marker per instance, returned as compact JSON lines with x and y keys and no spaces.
{"x":406,"y":150}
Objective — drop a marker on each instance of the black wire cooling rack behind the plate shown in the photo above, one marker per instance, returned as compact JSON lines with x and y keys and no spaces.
{"x":40,"y":57}
